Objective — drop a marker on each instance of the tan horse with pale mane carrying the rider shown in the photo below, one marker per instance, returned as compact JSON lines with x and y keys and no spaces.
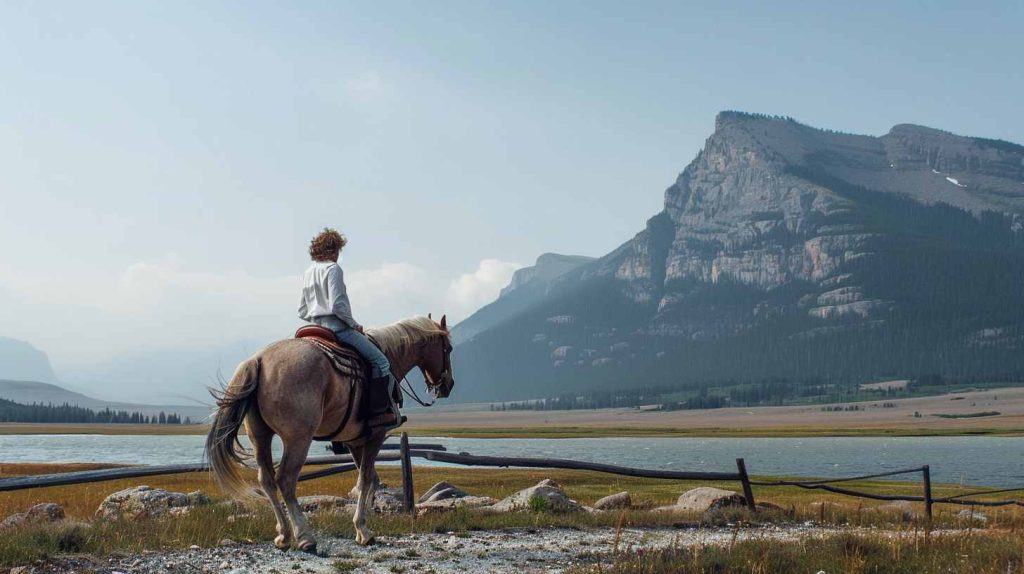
{"x":290,"y":389}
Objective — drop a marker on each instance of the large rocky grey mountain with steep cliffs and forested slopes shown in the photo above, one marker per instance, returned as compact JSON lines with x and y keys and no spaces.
{"x":785,"y":252}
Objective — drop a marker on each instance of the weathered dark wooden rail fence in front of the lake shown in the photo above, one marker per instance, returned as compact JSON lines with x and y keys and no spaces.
{"x":406,"y":453}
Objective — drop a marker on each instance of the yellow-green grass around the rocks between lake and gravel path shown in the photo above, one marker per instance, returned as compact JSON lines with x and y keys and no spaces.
{"x":206,"y":526}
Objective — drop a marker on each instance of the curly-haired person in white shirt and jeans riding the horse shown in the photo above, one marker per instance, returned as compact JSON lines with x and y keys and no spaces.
{"x":325,"y":302}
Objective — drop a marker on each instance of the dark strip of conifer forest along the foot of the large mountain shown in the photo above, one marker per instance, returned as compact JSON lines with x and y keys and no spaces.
{"x":774,"y":392}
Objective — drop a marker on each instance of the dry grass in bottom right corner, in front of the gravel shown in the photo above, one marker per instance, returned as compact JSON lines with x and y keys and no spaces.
{"x":906,"y":553}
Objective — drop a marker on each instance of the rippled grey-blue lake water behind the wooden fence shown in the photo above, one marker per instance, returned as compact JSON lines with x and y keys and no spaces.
{"x":979,"y":461}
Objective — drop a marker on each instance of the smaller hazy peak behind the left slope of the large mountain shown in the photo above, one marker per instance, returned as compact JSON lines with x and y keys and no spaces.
{"x":528,"y":286}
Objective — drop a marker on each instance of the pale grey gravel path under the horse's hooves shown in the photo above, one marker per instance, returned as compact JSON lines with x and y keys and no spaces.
{"x":511,"y":551}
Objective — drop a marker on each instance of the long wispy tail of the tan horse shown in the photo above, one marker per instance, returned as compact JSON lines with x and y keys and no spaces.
{"x":224,"y":451}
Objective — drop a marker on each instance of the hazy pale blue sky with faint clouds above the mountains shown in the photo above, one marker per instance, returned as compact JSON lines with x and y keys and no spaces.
{"x":163,"y":165}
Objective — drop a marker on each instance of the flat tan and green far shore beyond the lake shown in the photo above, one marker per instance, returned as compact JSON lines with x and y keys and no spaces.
{"x":942,"y":416}
